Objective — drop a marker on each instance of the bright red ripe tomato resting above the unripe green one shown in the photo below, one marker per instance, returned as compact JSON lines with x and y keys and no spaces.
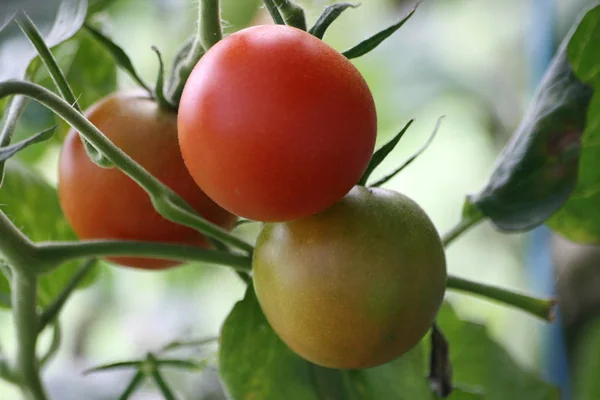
{"x":276,"y":125}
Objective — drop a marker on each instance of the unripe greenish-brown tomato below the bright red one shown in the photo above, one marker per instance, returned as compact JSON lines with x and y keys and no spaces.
{"x":355,"y":286}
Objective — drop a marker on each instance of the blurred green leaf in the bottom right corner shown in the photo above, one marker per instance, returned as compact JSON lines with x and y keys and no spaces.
{"x":587,"y":363}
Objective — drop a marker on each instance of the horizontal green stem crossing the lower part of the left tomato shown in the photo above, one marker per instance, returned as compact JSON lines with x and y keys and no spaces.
{"x":59,"y":252}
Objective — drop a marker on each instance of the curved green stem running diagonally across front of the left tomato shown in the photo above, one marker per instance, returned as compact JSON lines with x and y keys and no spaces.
{"x":167,"y":202}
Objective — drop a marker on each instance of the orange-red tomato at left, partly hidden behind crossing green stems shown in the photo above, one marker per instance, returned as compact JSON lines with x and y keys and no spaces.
{"x":106,"y":204}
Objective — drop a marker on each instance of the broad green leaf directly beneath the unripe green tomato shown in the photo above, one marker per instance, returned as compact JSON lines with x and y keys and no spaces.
{"x":255,"y":364}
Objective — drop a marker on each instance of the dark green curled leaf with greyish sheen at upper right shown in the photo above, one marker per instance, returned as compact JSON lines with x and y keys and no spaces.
{"x":537,"y":171}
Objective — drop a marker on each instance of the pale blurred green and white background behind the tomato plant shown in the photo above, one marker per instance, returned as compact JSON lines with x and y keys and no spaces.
{"x":470,"y":60}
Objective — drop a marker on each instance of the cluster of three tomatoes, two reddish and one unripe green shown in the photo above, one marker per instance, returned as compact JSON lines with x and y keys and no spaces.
{"x":274,"y":125}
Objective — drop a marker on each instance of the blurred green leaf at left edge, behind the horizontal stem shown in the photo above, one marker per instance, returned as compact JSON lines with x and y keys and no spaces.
{"x":33,"y":206}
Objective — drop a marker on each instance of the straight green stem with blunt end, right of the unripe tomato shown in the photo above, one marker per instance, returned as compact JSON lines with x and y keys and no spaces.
{"x":542,"y":308}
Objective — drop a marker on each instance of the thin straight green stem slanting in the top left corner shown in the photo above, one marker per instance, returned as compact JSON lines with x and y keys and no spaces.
{"x":35,"y":37}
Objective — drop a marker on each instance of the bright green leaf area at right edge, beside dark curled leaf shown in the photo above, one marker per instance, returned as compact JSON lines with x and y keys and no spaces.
{"x":579,"y":219}
